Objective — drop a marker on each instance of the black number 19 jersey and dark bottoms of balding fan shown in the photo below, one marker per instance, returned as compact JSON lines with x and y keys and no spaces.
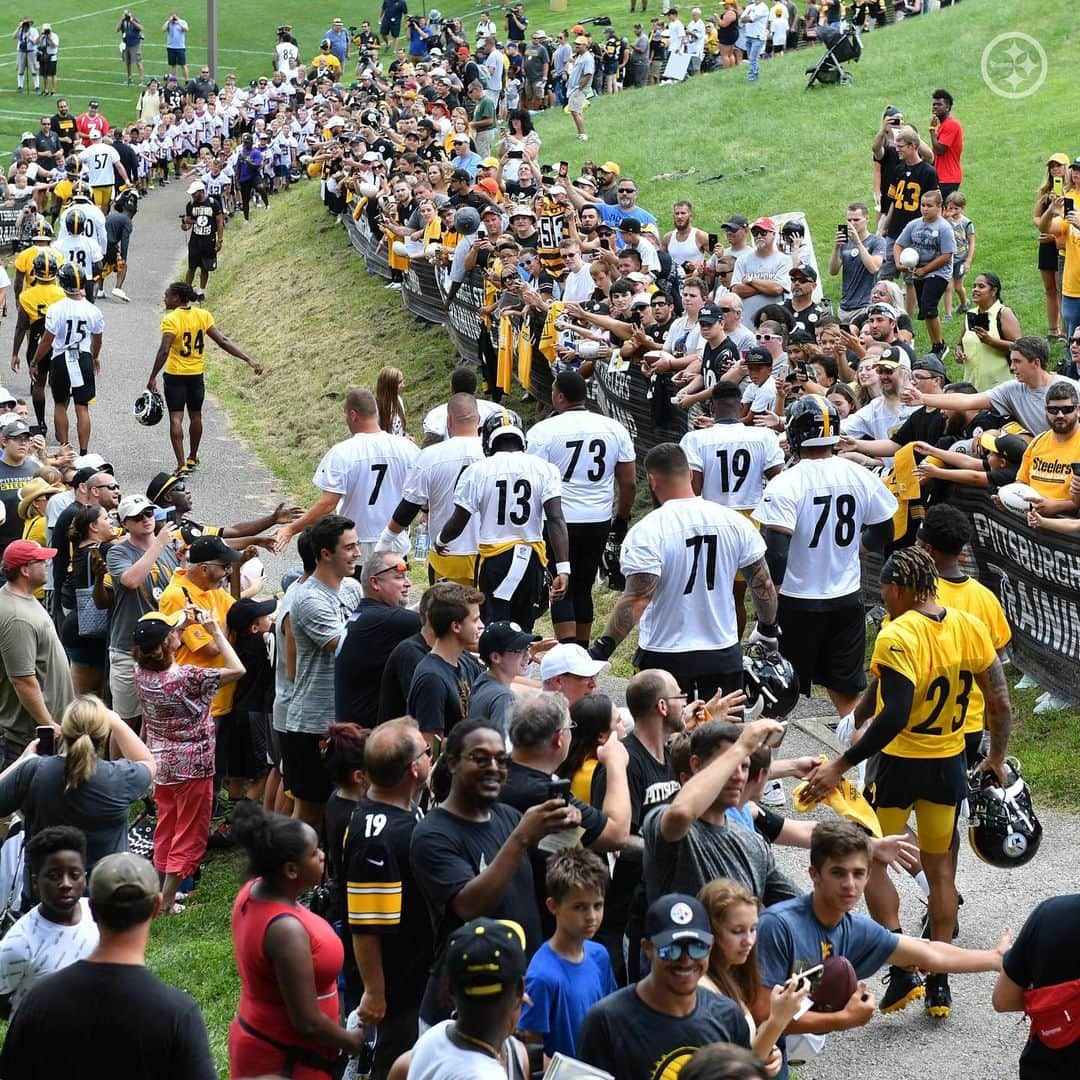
{"x":384,"y":899}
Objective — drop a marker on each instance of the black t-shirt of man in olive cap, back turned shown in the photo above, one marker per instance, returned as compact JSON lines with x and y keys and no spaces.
{"x":128,"y":1024}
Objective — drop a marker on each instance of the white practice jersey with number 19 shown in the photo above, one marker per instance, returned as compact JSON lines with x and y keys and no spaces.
{"x":733,"y":460}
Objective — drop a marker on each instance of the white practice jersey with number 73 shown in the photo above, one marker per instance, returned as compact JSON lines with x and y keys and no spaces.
{"x":585,"y":448}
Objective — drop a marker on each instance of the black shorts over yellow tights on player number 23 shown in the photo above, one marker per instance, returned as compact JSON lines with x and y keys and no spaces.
{"x":934,"y":788}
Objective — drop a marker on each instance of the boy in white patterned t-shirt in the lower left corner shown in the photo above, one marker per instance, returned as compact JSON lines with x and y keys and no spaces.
{"x":60,"y":930}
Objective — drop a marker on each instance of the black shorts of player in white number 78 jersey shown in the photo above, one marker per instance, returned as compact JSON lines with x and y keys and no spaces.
{"x":825,"y":647}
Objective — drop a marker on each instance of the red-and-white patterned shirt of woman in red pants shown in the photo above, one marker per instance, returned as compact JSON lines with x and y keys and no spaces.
{"x":177,"y":721}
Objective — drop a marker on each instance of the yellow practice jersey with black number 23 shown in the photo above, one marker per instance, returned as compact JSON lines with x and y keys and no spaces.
{"x":940,"y":658}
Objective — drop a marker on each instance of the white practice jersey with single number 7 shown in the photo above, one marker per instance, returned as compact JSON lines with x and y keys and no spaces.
{"x":369,"y":472}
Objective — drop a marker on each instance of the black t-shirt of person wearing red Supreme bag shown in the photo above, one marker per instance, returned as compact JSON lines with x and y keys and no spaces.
{"x":1047,"y":952}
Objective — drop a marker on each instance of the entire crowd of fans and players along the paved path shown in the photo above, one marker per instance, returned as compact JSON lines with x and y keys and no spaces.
{"x":458,"y":844}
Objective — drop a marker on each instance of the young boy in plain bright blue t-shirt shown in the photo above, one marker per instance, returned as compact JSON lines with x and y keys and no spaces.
{"x":571,"y":973}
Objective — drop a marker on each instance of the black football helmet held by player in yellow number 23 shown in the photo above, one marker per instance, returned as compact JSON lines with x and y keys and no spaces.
{"x":1003,"y":828}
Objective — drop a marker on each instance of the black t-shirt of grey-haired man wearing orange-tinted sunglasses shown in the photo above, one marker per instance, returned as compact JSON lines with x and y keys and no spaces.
{"x":371,"y":636}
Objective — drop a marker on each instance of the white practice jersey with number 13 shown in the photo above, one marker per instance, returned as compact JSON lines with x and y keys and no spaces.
{"x":507,"y":492}
